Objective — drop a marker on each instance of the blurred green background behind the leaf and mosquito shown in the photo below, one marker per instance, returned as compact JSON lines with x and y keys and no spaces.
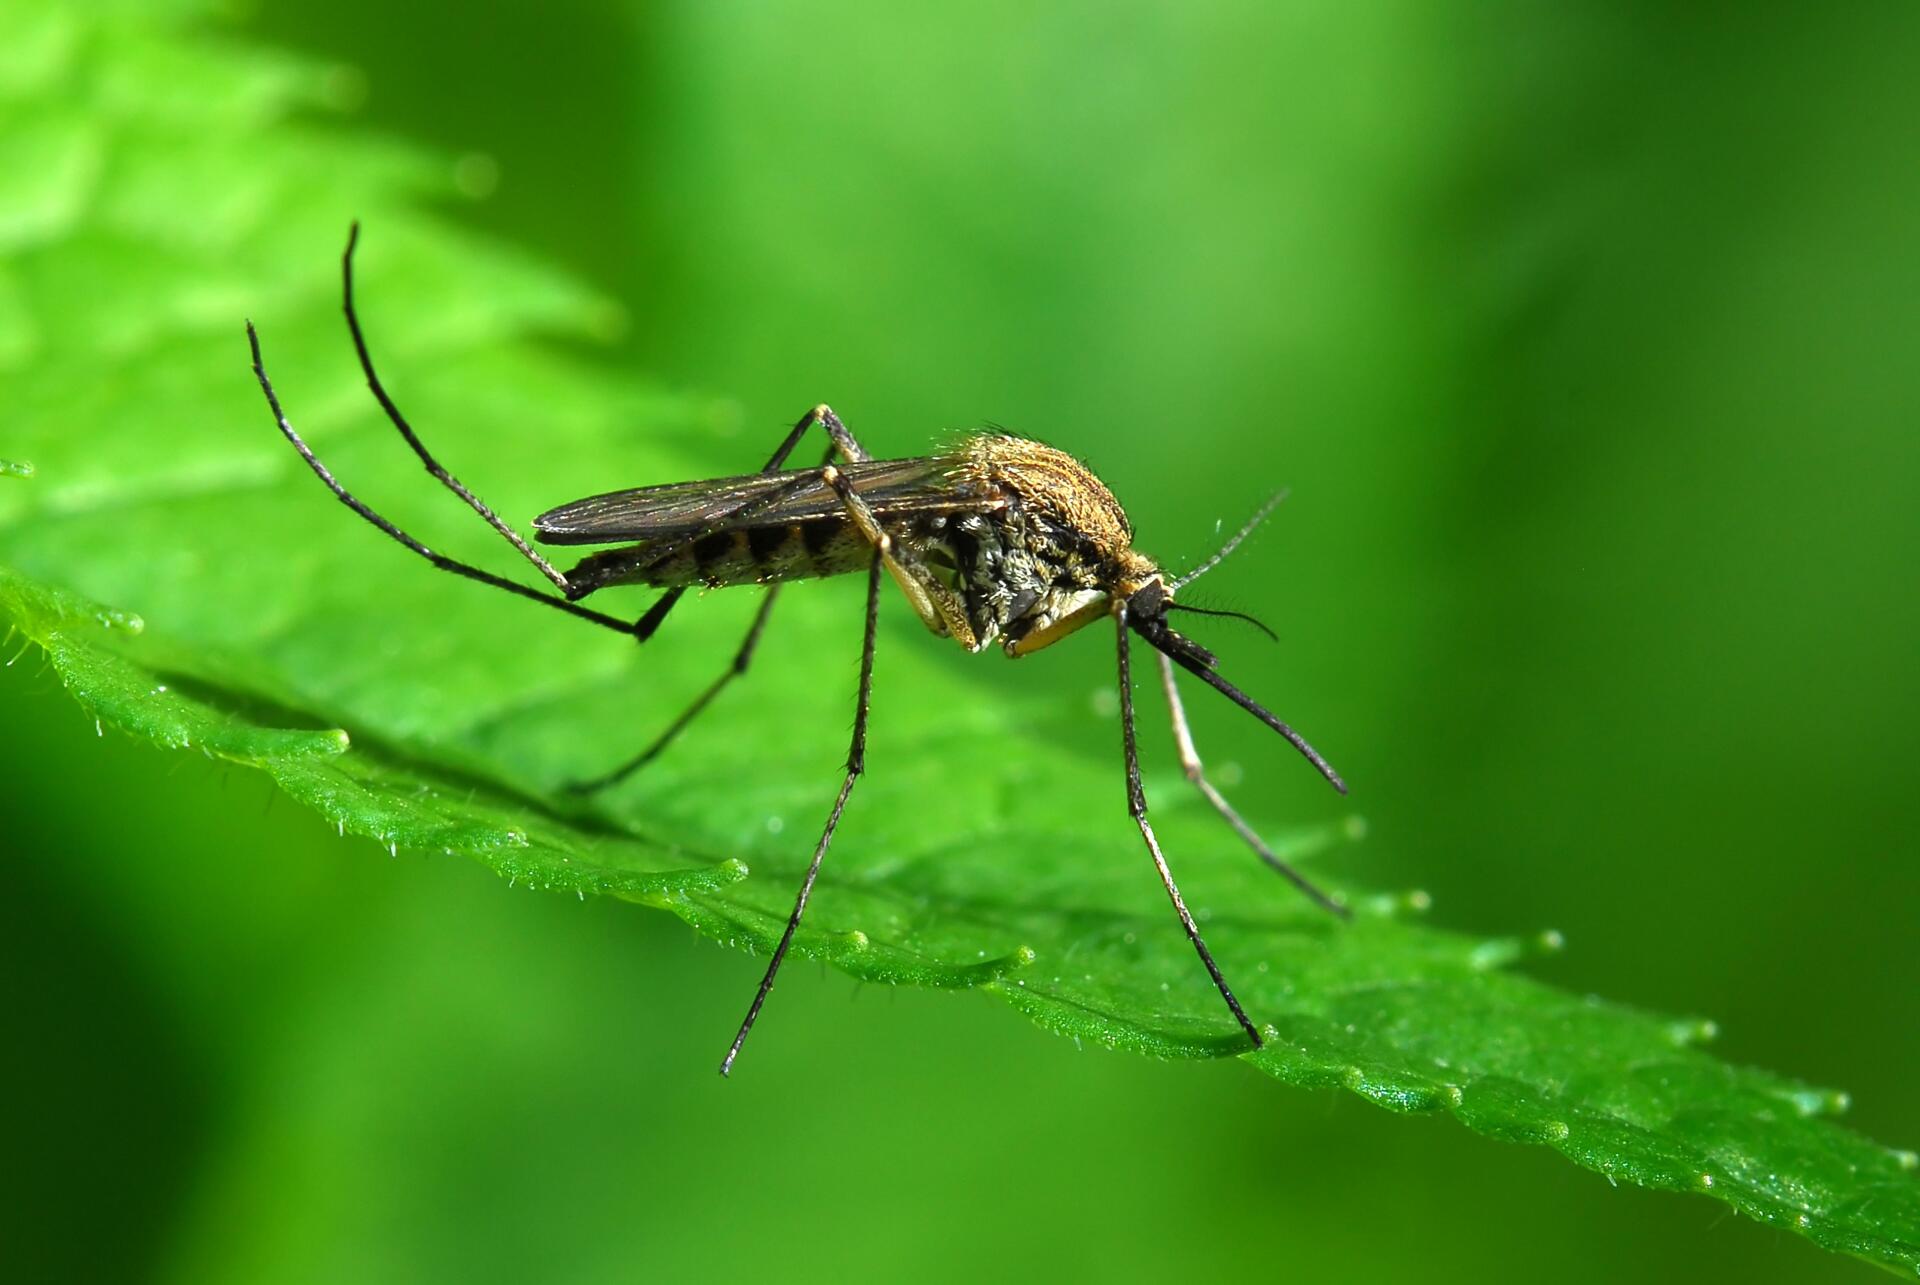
{"x":1583,"y":337}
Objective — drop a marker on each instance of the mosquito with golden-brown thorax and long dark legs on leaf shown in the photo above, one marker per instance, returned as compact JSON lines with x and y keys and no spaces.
{"x":996,"y":541}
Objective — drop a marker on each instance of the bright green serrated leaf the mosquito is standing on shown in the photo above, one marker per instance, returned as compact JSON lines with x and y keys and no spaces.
{"x":155,"y":193}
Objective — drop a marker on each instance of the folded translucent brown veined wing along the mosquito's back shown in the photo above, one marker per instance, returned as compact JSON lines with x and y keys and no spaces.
{"x":890,"y":487}
